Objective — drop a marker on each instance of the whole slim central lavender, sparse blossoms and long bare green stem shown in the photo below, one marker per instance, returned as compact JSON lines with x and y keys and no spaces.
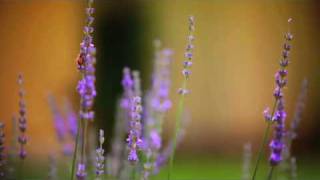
{"x":183,"y":90}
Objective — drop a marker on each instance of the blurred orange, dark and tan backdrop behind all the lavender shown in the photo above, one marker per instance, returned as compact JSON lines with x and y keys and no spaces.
{"x":238,"y":45}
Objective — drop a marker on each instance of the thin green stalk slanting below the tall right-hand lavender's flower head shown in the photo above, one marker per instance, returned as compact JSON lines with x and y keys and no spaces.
{"x":264,"y":142}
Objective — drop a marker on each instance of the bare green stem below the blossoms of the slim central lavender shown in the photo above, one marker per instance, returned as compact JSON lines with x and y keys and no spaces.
{"x":177,"y":128}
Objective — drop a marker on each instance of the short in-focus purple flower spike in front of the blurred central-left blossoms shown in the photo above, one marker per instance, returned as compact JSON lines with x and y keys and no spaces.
{"x":134,"y":139}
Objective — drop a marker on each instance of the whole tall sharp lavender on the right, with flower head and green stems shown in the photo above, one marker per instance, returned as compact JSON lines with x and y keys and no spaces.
{"x":278,"y":113}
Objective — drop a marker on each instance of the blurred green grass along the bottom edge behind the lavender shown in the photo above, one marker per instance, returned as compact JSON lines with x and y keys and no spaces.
{"x":199,"y":167}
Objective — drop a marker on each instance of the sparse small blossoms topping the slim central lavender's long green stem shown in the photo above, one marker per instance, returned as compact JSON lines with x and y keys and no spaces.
{"x":188,"y":55}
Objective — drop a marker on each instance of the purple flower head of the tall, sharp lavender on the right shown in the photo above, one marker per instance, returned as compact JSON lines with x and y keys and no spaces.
{"x":279,"y":115}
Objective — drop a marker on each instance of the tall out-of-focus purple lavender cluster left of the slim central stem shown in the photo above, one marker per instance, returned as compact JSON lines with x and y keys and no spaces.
{"x":157,"y":104}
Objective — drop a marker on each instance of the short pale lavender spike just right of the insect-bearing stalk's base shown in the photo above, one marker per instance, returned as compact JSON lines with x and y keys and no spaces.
{"x":100,"y":157}
